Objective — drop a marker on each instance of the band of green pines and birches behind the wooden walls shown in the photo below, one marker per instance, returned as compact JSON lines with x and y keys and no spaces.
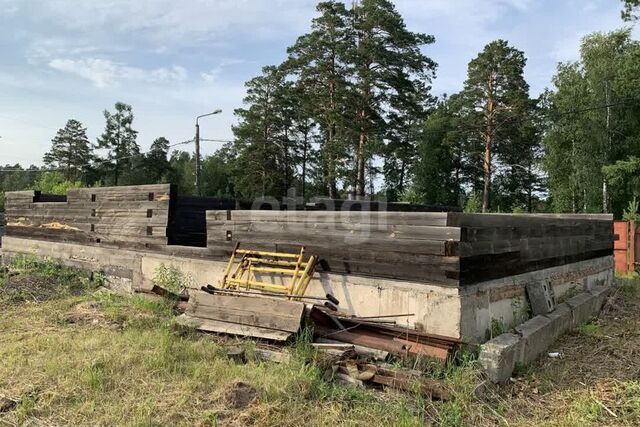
{"x":350,"y":113}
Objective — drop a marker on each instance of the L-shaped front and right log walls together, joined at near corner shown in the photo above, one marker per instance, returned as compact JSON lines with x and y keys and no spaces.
{"x":443,"y":248}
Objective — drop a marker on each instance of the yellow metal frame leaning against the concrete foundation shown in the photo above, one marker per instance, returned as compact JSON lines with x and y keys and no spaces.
{"x":245,"y":263}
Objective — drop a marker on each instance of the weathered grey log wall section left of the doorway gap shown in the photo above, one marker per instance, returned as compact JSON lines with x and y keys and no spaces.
{"x":128,"y":216}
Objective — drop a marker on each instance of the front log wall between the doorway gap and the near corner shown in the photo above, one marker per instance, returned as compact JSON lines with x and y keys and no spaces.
{"x":401,"y":245}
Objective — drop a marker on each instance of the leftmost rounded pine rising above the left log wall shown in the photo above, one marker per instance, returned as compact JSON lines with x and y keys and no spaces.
{"x":70,"y":150}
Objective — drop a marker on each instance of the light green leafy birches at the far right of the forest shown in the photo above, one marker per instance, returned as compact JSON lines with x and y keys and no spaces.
{"x":591,"y":153}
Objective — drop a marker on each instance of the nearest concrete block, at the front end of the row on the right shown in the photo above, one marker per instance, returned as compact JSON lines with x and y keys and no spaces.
{"x":498,"y":356}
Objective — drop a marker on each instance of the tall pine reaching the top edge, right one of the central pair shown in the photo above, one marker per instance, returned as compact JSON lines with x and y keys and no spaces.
{"x":388,"y":65}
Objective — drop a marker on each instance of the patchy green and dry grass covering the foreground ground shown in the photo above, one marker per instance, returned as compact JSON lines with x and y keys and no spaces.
{"x":84,"y":356}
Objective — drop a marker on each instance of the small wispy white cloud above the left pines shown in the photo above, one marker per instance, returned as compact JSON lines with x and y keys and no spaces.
{"x":106,"y":73}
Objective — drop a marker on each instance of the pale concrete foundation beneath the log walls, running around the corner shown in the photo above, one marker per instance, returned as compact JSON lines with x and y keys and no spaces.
{"x":463,"y":312}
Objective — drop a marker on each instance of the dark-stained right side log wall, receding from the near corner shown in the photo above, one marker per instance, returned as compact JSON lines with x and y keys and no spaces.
{"x":500,"y":245}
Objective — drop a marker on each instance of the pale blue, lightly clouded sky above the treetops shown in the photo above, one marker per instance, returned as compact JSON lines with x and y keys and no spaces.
{"x":173,"y":61}
